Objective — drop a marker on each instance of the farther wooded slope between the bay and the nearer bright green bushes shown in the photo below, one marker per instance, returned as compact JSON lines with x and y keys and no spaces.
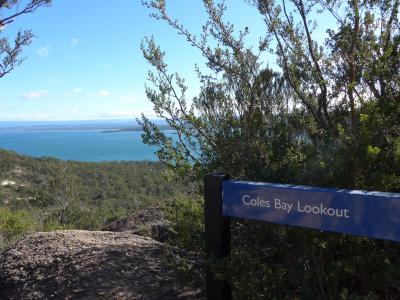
{"x":135,"y":181}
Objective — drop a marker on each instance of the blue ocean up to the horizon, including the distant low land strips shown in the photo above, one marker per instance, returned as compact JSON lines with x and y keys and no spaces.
{"x":82,"y":141}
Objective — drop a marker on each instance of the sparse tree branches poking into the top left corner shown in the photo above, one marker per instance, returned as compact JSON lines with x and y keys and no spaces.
{"x":10,"y":52}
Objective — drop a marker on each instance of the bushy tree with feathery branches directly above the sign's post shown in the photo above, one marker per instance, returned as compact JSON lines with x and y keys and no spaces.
{"x":240,"y":104}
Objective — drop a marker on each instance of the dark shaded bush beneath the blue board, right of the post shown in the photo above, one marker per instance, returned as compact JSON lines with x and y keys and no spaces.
{"x":283,"y":262}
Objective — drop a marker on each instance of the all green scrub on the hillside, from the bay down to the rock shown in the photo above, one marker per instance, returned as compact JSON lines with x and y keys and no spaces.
{"x":45,"y":193}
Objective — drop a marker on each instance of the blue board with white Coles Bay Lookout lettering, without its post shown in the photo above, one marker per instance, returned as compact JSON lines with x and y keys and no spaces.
{"x":369,"y":214}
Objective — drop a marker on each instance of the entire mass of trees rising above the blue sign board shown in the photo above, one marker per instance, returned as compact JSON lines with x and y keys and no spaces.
{"x":311,"y":114}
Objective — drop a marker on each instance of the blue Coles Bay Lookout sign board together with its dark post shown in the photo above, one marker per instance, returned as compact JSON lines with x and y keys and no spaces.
{"x":359,"y":213}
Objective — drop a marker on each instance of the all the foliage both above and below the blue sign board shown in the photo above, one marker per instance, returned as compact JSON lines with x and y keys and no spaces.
{"x":328,"y":116}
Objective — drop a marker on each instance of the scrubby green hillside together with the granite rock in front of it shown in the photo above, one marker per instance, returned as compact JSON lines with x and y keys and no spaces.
{"x":40,"y":196}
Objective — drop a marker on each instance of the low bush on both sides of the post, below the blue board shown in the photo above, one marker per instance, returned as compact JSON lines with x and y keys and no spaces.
{"x":280,"y":262}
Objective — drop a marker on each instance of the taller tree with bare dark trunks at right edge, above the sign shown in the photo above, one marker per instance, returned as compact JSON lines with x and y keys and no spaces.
{"x":348,"y":83}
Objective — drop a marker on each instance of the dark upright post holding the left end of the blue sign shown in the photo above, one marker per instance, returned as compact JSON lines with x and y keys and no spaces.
{"x":217,"y":230}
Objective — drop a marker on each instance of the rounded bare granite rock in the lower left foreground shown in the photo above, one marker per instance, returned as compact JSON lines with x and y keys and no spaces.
{"x":78,"y":264}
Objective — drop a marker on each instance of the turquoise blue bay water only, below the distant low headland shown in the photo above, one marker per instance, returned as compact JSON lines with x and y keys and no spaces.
{"x":82,"y":145}
